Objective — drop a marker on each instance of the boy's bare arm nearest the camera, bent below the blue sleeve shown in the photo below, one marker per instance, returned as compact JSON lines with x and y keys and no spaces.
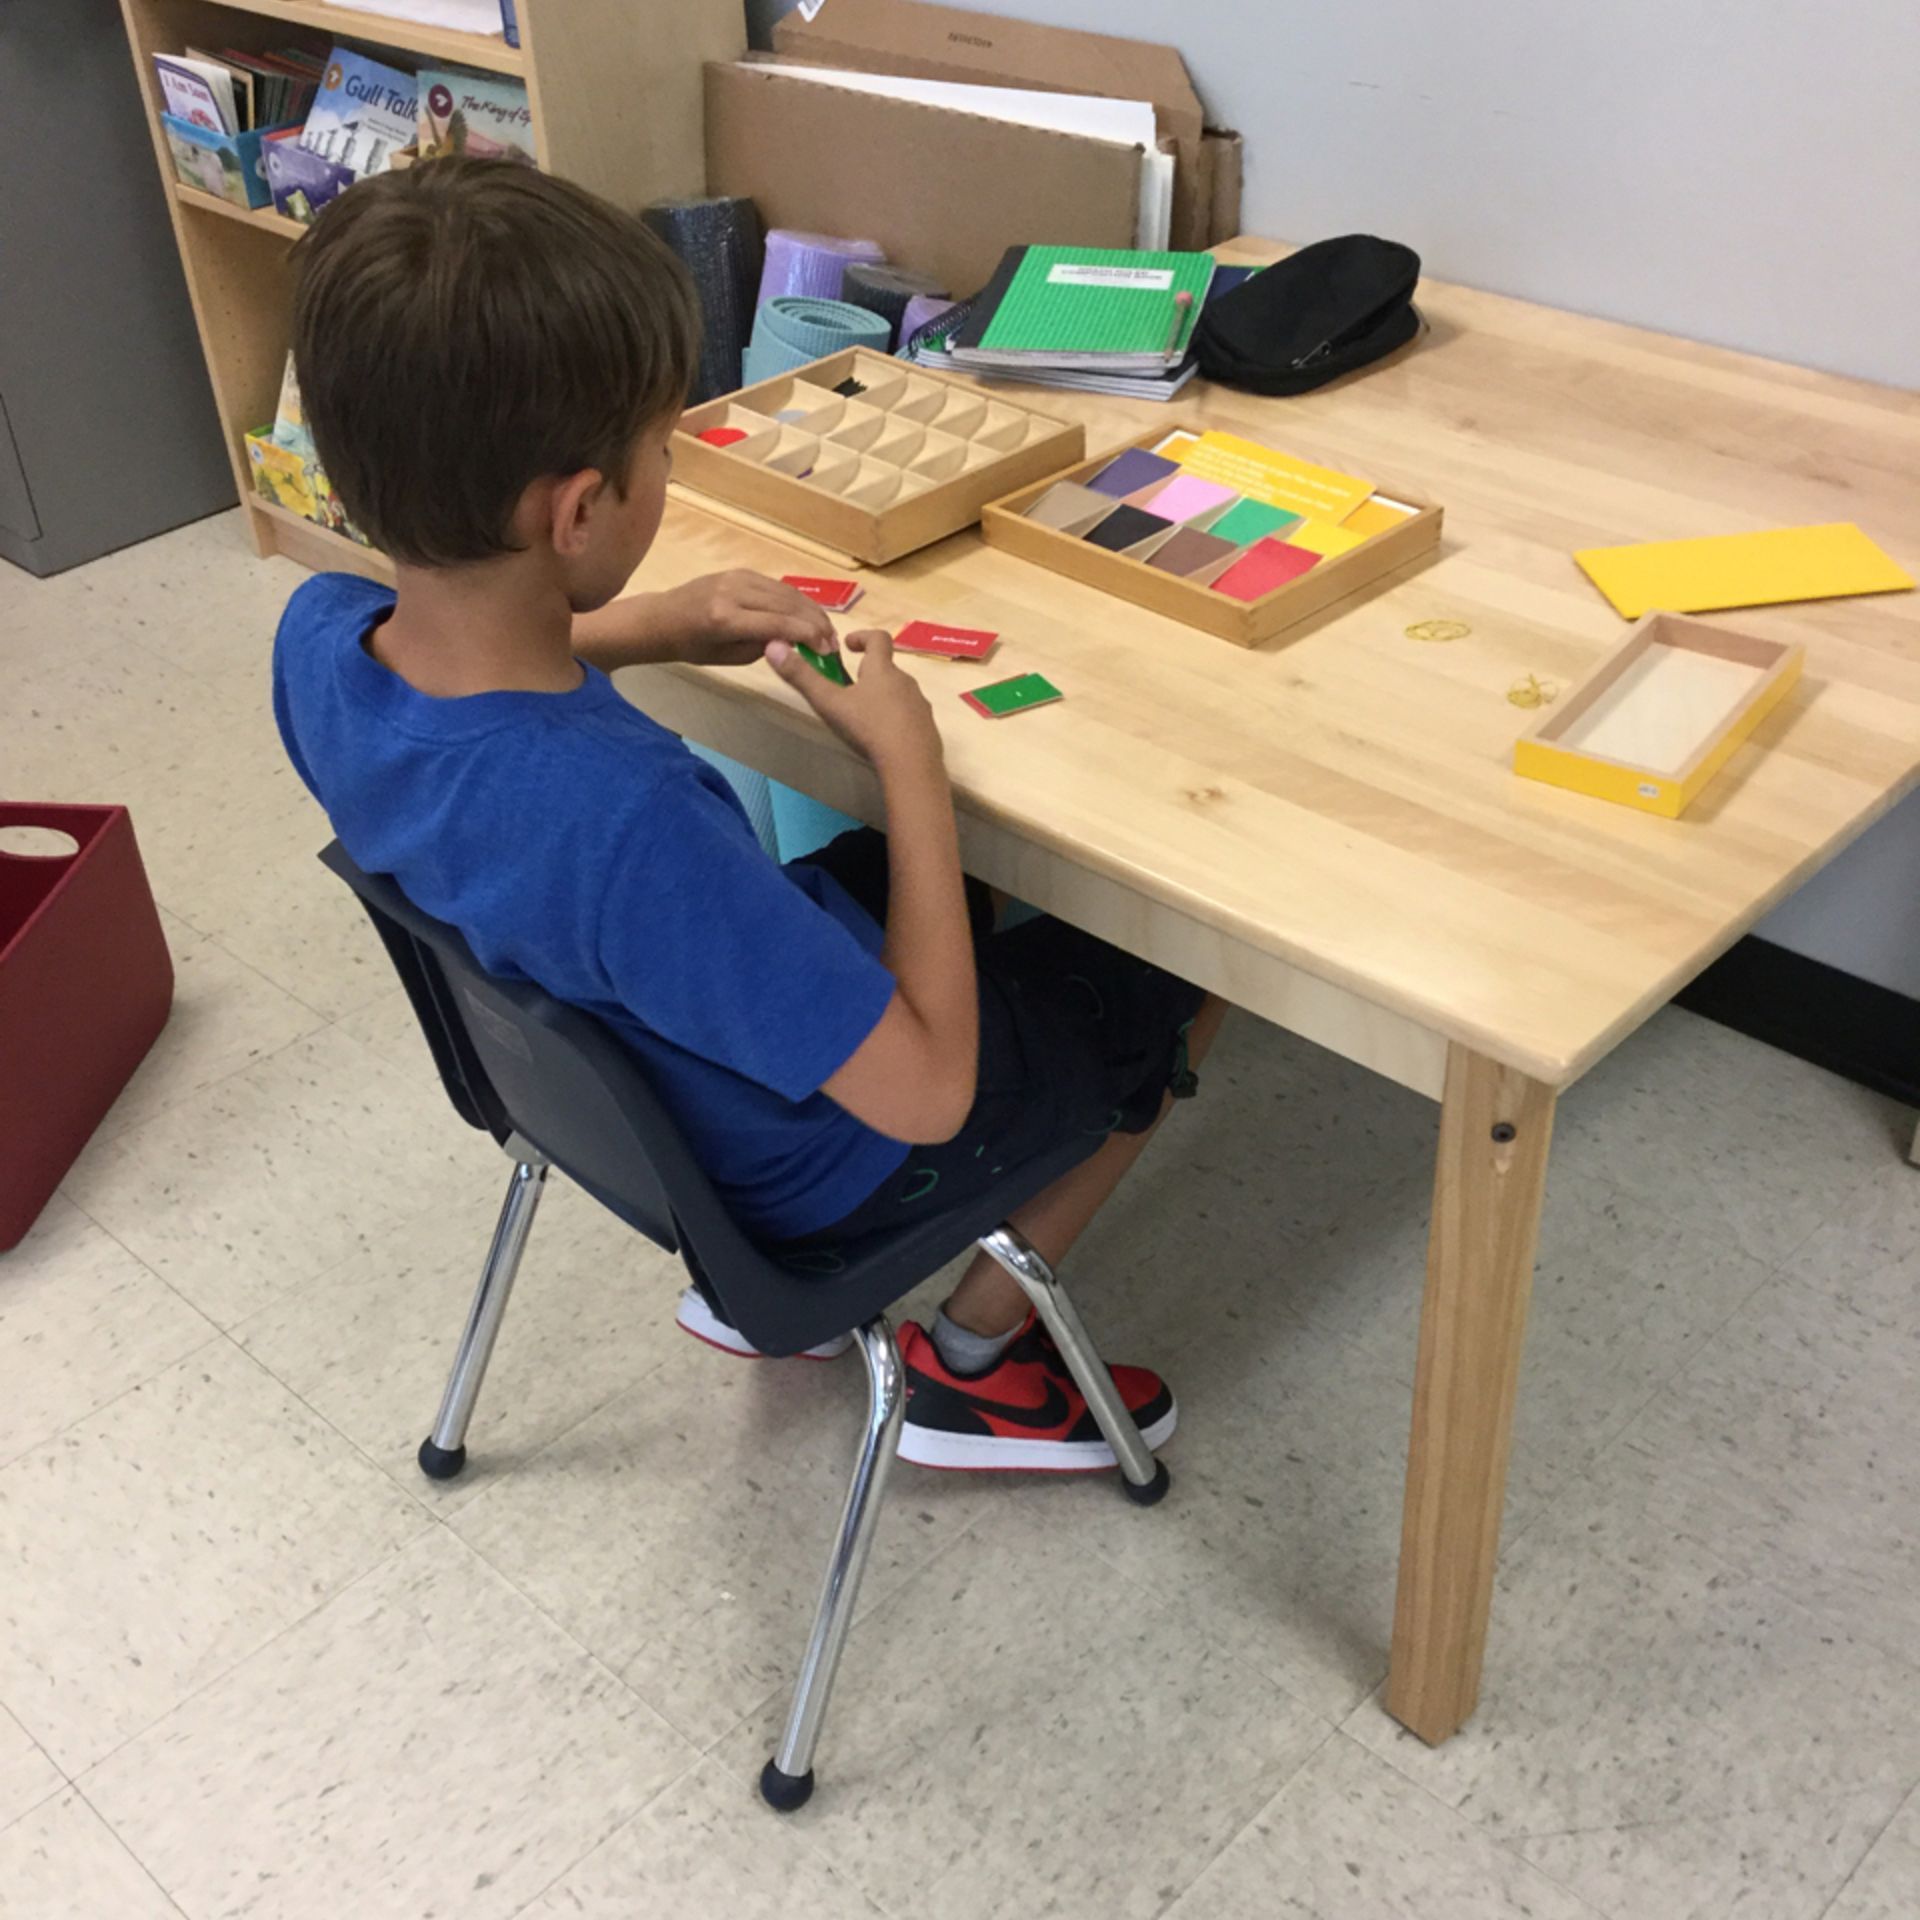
{"x":913,"y":1076}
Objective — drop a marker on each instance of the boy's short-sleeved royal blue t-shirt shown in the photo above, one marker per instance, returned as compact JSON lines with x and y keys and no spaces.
{"x":579,"y":844}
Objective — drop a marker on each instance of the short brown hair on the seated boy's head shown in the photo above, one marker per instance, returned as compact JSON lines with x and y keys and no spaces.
{"x":468,"y":327}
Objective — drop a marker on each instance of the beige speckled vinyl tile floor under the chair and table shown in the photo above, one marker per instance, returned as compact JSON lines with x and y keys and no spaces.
{"x":254,"y":1666}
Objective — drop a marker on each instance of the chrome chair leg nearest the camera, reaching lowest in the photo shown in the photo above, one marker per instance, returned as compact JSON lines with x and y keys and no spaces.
{"x":788,"y":1779}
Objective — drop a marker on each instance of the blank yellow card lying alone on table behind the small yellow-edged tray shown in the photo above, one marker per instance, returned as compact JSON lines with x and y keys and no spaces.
{"x":1742,"y":569}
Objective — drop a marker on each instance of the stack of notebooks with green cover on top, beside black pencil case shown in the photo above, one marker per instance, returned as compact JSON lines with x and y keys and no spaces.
{"x":1086,"y":320}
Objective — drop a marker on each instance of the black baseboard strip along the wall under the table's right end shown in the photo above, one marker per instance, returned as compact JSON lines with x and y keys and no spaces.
{"x":1815,"y":1013}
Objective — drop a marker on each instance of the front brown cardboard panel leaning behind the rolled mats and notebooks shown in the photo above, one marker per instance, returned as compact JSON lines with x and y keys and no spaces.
{"x":944,"y":193}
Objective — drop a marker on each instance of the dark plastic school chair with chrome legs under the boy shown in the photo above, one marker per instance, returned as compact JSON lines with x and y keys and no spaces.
{"x":558,"y":1090}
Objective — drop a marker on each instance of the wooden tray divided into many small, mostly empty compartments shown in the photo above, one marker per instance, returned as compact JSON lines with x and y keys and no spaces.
{"x":894,"y":468}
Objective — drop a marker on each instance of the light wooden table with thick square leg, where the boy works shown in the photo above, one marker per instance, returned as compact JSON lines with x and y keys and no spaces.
{"x":1328,"y":832}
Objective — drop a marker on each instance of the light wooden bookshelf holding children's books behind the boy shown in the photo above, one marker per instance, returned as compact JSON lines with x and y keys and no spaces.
{"x":617,"y":105}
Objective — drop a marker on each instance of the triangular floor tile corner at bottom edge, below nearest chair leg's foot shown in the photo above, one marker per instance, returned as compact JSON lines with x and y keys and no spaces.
{"x":708,"y":1846}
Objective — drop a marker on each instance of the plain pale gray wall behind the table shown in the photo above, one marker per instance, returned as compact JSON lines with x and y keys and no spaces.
{"x":1735,"y":174}
